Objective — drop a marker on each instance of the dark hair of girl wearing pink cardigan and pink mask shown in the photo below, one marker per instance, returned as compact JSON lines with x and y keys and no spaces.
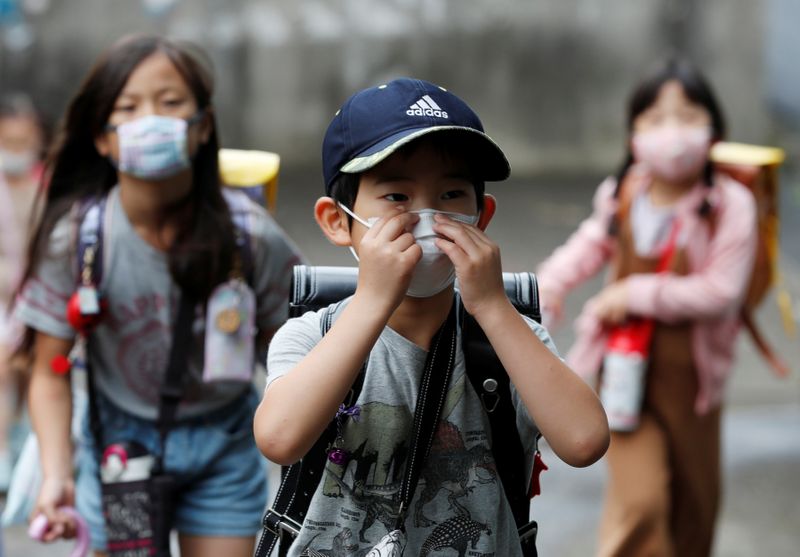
{"x":695,"y":87}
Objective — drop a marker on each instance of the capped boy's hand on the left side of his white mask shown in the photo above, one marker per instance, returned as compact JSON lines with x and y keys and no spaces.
{"x":387,"y":256}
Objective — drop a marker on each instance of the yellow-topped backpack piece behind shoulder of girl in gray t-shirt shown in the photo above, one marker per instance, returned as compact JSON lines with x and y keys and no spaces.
{"x":256,"y":172}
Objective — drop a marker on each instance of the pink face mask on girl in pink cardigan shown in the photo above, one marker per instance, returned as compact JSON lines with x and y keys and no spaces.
{"x":673,"y":153}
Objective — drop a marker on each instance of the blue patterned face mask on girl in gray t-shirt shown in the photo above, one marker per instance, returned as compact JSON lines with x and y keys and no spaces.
{"x":153,"y":147}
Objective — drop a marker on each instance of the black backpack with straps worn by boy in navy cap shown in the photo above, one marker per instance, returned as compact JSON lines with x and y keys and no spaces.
{"x":315,"y":288}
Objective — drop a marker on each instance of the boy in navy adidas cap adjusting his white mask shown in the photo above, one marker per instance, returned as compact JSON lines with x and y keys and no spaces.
{"x":404,"y":167}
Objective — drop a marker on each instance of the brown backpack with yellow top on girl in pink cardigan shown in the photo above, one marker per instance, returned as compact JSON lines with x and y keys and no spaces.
{"x":757,"y":167}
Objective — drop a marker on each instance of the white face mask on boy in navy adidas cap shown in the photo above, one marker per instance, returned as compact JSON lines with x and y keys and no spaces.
{"x":434,"y":272}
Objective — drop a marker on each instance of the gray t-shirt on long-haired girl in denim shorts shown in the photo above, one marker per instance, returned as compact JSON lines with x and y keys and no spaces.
{"x":130,"y":347}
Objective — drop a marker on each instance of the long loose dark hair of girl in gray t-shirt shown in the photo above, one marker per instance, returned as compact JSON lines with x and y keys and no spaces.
{"x":202,"y":253}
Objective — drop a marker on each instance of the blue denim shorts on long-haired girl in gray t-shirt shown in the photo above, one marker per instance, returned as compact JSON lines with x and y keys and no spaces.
{"x":221,"y":474}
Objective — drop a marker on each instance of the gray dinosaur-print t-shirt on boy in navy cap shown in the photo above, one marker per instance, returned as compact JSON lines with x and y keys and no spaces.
{"x":459,"y":499}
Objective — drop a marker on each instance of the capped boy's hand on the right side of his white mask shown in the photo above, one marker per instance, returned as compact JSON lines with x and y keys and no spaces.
{"x":477,"y":262}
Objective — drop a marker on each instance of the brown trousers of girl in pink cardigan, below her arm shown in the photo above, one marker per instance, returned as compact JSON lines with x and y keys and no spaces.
{"x":663,"y":491}
